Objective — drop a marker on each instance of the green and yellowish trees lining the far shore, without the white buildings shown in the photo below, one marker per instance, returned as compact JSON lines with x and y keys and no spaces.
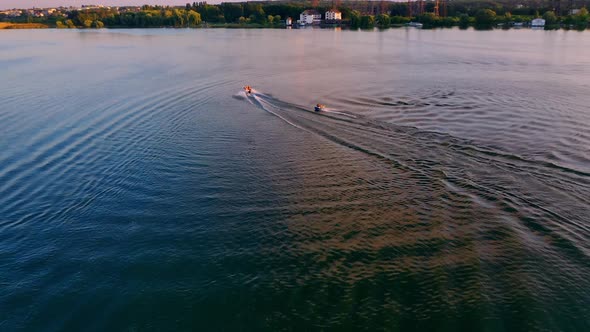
{"x":356,"y":14}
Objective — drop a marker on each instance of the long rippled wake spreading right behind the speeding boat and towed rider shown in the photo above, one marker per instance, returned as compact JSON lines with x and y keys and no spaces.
{"x":519,"y":187}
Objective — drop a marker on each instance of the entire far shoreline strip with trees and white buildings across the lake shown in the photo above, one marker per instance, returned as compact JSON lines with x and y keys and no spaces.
{"x":427,"y":14}
